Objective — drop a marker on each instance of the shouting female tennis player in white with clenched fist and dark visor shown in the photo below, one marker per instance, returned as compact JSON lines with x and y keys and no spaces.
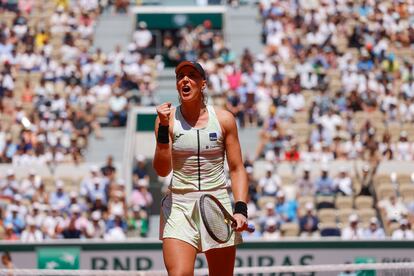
{"x":192,"y":142}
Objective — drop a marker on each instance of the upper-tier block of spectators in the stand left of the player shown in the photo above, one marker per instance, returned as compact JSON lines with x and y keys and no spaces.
{"x":55,"y":90}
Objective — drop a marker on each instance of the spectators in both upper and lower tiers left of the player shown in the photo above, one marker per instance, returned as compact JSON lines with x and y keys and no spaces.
{"x":56,"y":90}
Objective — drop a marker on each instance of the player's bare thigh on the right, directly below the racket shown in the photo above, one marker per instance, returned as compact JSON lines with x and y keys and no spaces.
{"x":221,"y":261}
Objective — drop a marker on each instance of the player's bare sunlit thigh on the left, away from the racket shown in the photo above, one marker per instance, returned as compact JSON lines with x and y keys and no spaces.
{"x":179,"y":257}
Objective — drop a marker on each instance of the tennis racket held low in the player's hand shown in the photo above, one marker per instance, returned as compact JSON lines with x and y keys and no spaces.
{"x":218,"y":221}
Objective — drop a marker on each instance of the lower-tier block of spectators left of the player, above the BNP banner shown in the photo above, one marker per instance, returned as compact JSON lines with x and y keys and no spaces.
{"x":99,"y":209}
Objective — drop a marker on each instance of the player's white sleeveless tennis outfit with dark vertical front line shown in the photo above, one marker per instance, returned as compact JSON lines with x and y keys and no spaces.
{"x":198,"y":168}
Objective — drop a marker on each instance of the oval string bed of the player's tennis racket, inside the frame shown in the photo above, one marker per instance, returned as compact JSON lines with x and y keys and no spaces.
{"x":215,"y":220}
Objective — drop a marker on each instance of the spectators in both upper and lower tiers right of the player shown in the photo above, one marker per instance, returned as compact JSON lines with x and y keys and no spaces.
{"x":333,"y":83}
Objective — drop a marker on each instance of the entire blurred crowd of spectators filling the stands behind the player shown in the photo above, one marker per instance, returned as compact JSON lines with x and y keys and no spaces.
{"x":334,"y":83}
